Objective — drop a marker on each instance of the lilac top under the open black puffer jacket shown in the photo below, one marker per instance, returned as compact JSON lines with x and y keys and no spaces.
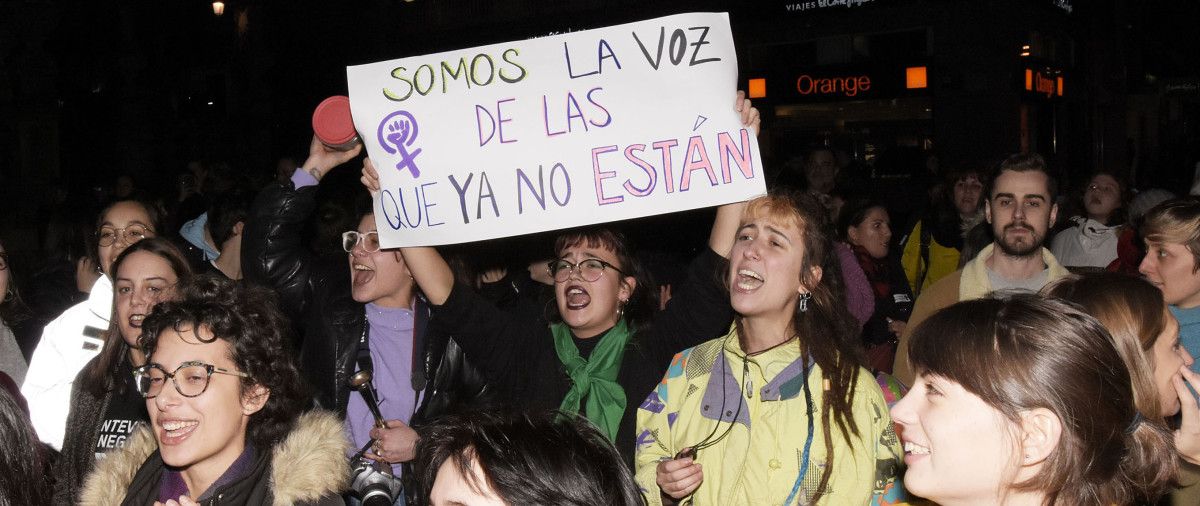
{"x":392,"y":356}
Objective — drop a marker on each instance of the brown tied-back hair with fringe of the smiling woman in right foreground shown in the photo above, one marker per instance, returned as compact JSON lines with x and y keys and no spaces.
{"x":1027,"y":353}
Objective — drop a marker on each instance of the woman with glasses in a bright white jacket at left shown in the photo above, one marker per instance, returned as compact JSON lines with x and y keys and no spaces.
{"x":75,"y":338}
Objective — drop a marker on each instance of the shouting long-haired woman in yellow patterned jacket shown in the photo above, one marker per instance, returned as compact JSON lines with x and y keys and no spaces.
{"x":779,"y":411}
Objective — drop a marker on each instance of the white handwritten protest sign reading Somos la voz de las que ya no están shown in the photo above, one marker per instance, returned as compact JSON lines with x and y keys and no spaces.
{"x":556,"y":132}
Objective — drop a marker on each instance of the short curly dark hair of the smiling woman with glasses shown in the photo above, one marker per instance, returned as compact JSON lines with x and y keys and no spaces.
{"x":249,"y":318}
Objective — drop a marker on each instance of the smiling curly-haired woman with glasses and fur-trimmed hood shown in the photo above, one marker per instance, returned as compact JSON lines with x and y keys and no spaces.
{"x":225,"y":403}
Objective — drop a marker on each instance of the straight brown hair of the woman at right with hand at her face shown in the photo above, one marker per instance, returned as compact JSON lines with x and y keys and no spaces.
{"x":1135,"y":315}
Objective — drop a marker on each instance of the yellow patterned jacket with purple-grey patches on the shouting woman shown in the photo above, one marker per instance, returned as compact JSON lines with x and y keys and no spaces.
{"x":761,"y":402}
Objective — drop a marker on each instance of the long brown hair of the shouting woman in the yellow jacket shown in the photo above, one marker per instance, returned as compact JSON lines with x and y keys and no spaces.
{"x":827,"y":332}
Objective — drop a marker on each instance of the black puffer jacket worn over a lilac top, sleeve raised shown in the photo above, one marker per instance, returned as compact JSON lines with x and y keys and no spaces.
{"x":316,"y":294}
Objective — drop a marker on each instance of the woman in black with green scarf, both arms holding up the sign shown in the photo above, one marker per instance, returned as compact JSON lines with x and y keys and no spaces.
{"x":607,"y":348}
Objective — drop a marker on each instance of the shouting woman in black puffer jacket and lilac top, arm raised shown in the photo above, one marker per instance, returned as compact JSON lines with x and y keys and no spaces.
{"x":357,"y":312}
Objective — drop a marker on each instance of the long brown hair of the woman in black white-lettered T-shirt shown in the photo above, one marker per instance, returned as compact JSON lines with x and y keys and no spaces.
{"x":100,"y":374}
